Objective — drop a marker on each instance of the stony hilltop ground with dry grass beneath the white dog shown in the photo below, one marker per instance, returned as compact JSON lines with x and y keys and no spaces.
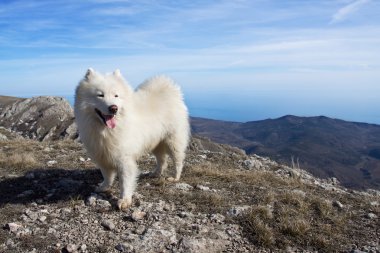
{"x":225,"y":202}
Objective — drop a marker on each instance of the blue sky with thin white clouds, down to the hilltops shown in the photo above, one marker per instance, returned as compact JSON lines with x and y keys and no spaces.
{"x":236,"y":60}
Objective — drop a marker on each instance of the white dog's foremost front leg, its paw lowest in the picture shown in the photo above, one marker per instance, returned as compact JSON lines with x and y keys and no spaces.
{"x":127,"y":173}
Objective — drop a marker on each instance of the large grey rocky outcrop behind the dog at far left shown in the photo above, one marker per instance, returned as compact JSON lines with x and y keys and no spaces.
{"x":39,"y":118}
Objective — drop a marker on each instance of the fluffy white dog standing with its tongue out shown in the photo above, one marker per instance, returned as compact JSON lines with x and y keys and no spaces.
{"x":117,"y":125}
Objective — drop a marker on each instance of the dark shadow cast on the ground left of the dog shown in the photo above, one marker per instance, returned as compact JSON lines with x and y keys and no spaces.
{"x":46,"y":186}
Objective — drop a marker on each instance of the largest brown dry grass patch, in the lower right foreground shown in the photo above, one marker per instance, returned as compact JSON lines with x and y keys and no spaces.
{"x":296,"y":220}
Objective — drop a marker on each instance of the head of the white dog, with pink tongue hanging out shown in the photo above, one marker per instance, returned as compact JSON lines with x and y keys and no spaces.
{"x":102,"y":96}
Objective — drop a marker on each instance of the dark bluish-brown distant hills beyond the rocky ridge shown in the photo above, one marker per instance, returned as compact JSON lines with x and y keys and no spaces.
{"x":326,"y":147}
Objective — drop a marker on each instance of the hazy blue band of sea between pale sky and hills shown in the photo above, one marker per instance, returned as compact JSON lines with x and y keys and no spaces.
{"x":263,"y":107}
